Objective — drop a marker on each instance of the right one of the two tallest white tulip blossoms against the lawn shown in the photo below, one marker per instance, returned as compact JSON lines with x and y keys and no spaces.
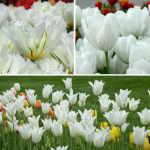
{"x":97,"y":87}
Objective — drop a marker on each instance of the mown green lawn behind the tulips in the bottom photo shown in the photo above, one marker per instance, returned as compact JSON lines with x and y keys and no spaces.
{"x":138,"y":85}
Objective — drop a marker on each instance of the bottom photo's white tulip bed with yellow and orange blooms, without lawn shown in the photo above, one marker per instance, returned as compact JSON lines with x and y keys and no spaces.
{"x":61,"y":128}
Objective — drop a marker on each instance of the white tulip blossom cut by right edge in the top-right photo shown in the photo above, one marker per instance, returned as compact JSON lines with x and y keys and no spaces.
{"x":133,"y":26}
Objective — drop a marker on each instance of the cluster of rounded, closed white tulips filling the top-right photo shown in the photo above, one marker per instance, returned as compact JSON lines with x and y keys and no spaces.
{"x":117,"y":43}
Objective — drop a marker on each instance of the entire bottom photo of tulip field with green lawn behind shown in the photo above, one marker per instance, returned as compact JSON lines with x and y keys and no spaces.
{"x":69,"y":112}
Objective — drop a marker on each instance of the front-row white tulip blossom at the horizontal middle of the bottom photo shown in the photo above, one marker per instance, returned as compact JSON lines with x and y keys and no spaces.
{"x":75,"y":129}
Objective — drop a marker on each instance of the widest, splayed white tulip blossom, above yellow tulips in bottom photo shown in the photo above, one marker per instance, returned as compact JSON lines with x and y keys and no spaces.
{"x":116,"y":117}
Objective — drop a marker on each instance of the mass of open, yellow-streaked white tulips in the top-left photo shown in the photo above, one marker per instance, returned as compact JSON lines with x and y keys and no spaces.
{"x":37,"y":41}
